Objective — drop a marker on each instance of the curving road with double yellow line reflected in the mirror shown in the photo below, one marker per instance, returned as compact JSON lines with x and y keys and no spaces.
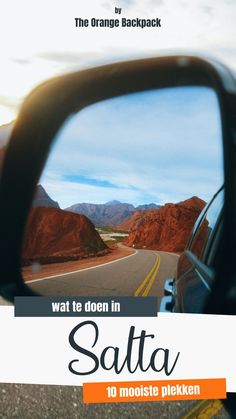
{"x":139,"y":274}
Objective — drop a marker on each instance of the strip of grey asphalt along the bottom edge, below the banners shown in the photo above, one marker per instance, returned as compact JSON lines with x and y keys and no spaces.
{"x":26,"y":401}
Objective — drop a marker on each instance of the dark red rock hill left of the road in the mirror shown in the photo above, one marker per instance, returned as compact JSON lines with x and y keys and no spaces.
{"x":54,"y":235}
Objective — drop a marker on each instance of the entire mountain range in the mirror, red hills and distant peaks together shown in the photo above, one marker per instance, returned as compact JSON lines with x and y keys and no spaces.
{"x":150,"y":226}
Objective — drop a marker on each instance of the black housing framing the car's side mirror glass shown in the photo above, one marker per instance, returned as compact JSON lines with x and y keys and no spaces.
{"x":48,"y":106}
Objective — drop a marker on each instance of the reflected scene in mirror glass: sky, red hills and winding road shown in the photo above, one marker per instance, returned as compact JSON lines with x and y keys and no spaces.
{"x":121,"y":190}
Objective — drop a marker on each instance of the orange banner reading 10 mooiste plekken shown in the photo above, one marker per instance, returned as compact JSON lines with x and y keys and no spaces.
{"x":143,"y":391}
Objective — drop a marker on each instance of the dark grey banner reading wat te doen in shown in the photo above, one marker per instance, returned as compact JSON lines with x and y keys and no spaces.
{"x":85,"y":306}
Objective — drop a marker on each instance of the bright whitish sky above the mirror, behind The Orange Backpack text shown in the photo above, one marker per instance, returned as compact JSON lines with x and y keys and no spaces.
{"x":39,"y":38}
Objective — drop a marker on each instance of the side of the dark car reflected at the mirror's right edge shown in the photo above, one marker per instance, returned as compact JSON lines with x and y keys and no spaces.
{"x":189,"y":291}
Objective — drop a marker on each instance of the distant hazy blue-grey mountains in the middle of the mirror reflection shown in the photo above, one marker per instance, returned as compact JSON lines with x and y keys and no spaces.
{"x":109,"y":214}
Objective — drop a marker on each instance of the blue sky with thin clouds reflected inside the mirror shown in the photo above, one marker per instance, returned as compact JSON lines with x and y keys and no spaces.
{"x":158,"y":146}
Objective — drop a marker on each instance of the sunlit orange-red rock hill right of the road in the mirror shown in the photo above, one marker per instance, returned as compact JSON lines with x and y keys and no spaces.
{"x":167,"y":228}
